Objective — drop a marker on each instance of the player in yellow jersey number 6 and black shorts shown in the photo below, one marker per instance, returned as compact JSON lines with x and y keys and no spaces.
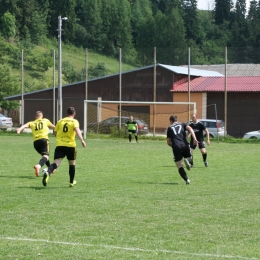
{"x":65,"y":132}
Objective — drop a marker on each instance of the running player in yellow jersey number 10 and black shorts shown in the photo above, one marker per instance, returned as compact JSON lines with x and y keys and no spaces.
{"x":40,"y":131}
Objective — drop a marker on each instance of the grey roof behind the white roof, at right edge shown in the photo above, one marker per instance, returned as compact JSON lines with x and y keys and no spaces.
{"x":232,"y":69}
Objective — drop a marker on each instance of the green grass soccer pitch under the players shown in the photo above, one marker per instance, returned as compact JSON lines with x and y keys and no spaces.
{"x":130,"y":203}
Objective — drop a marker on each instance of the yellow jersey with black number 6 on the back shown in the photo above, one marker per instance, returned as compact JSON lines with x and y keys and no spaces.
{"x":65,"y":132}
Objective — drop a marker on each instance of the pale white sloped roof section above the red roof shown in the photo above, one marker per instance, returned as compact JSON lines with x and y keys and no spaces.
{"x":193,"y":72}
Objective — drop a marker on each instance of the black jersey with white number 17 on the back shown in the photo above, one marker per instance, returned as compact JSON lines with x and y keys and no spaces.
{"x":177,"y":133}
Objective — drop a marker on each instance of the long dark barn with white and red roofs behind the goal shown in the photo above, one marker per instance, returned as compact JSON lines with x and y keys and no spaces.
{"x":206,"y":89}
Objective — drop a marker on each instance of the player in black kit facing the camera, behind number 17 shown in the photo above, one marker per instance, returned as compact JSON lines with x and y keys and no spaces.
{"x":198,"y":129}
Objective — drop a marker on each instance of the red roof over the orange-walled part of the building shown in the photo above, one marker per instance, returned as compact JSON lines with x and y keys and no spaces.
{"x":213,"y":84}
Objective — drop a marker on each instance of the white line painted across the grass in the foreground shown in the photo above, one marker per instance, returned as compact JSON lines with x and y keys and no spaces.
{"x":129,"y":248}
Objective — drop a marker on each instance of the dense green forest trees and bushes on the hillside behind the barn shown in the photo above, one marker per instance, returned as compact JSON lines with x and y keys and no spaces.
{"x":136,"y":26}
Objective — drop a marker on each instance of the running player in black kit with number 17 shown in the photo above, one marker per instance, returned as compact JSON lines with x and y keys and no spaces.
{"x":176,"y":138}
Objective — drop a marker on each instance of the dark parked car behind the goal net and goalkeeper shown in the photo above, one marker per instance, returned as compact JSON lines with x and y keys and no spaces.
{"x":104,"y":126}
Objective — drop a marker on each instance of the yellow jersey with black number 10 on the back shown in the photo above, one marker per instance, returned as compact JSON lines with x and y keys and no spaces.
{"x":40,"y":128}
